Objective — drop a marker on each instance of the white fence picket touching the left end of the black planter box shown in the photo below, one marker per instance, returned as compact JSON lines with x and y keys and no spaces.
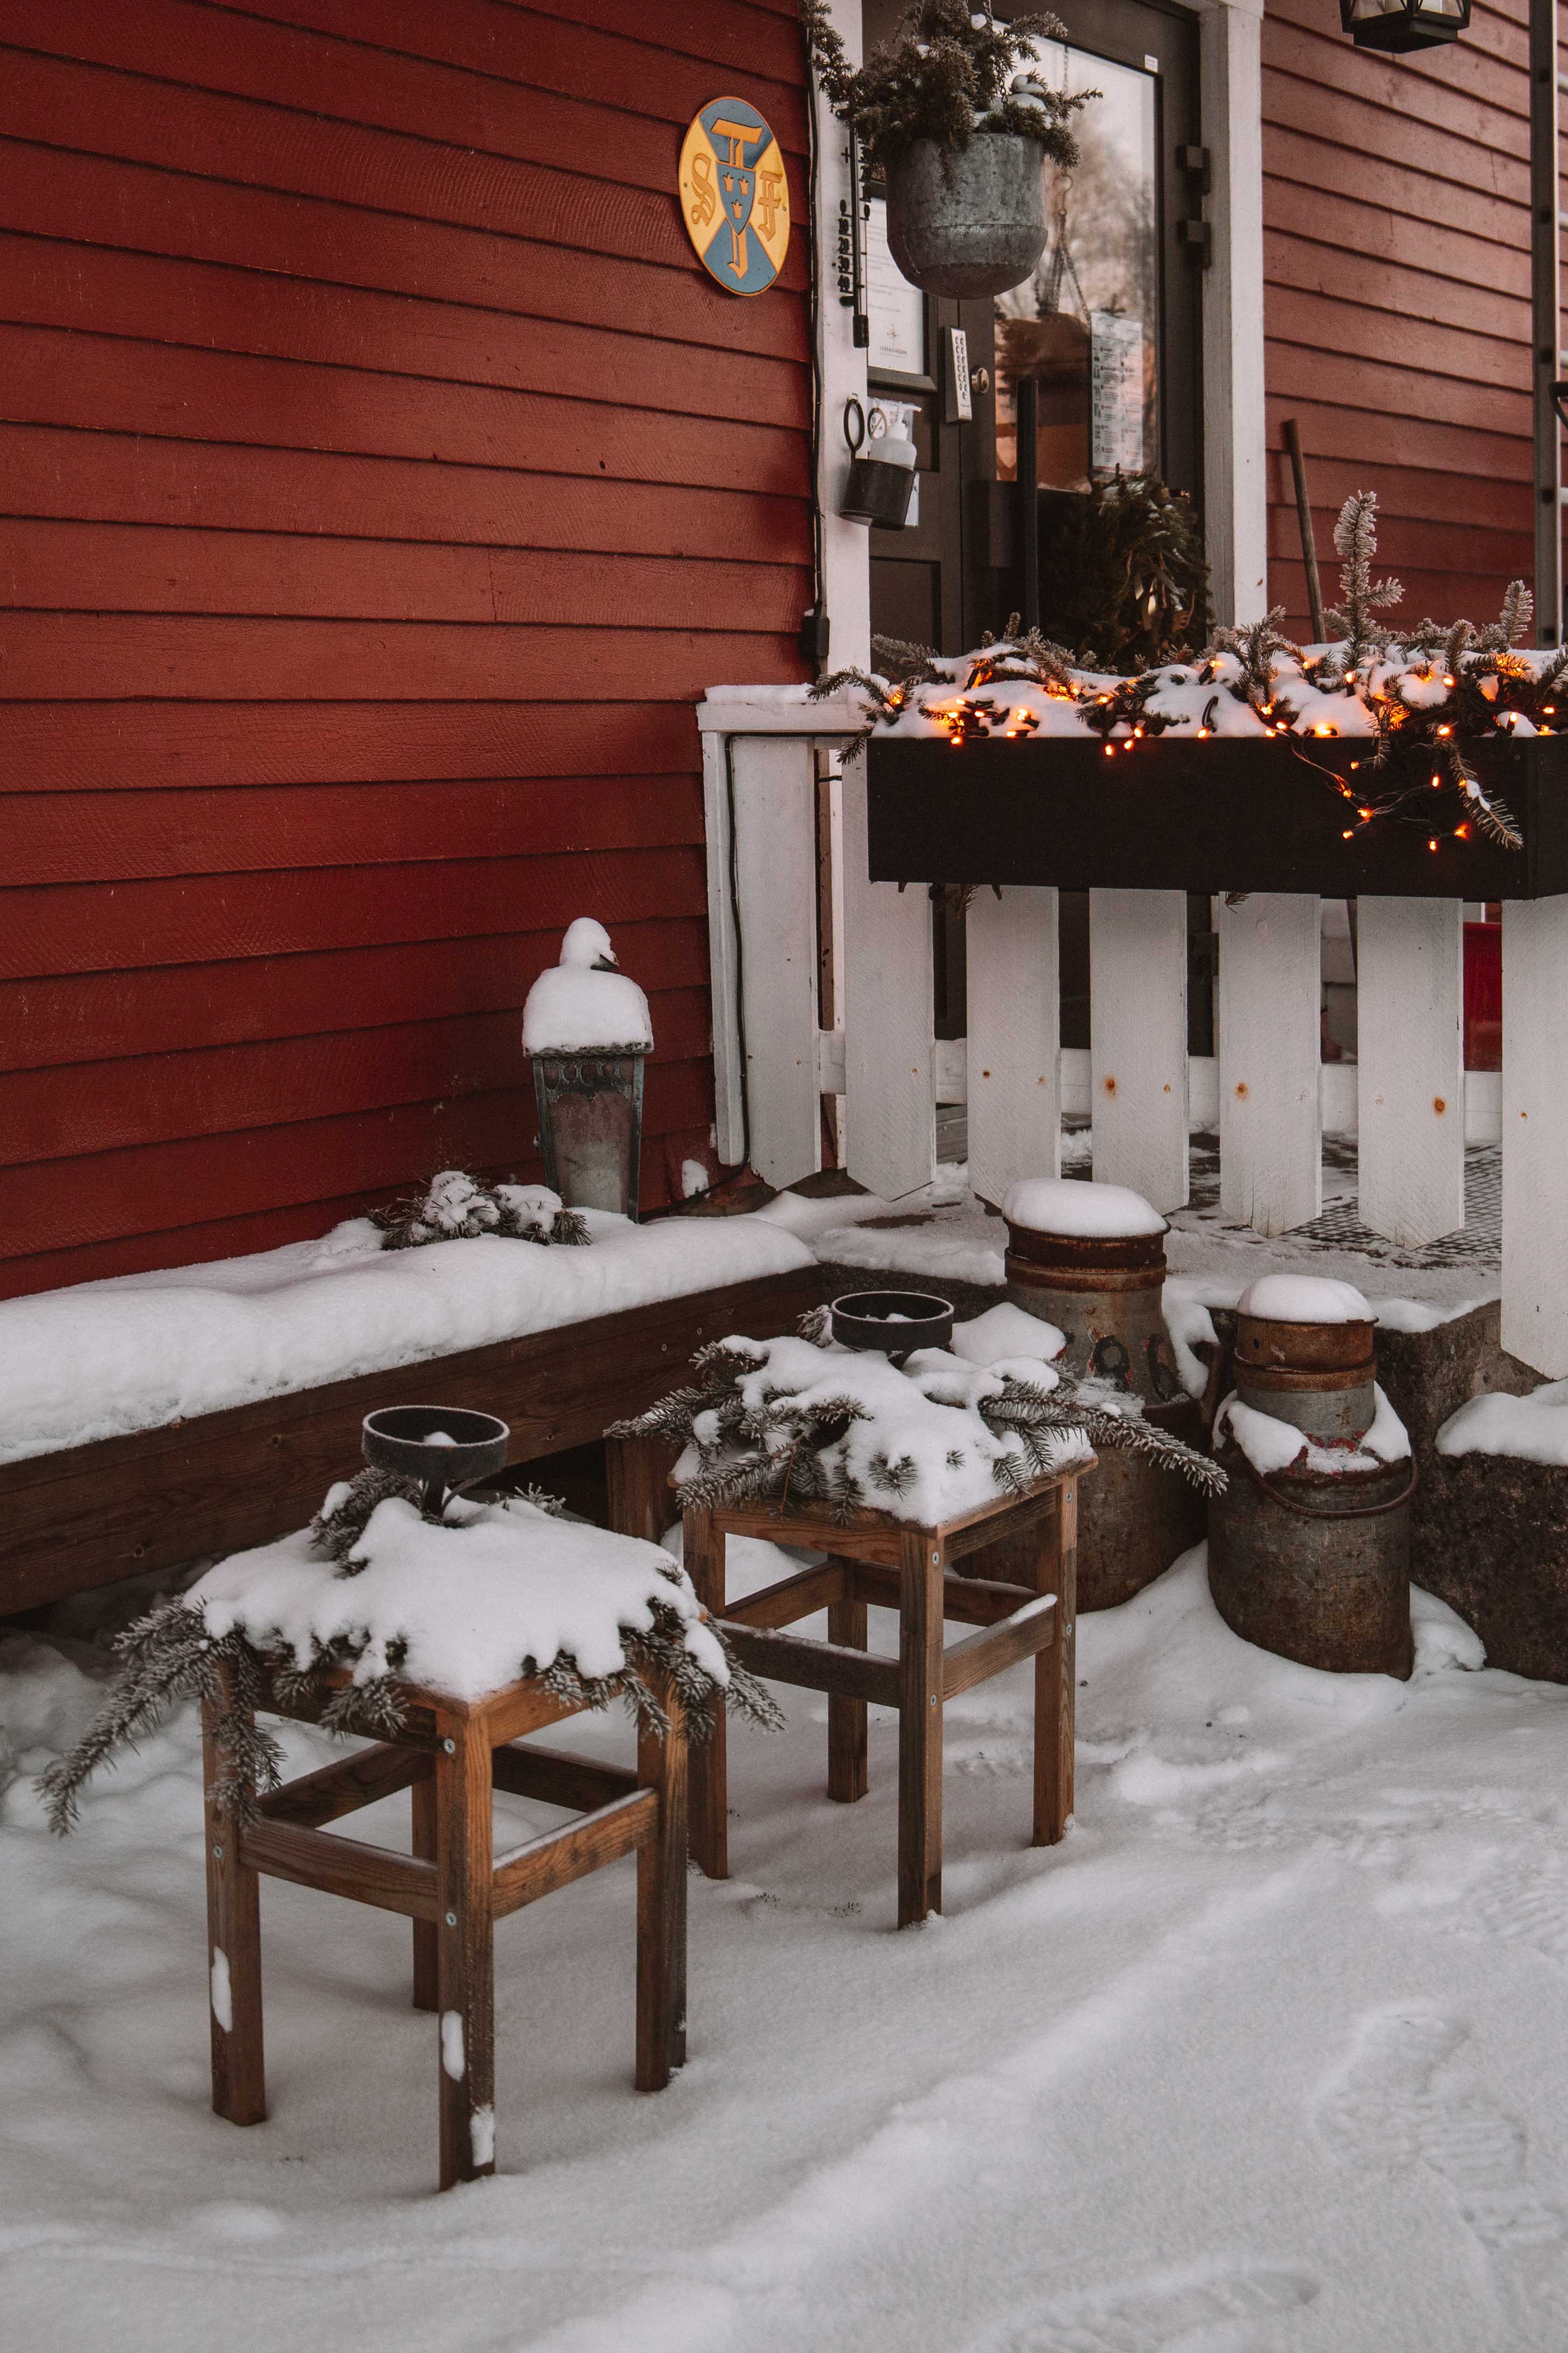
{"x":890,"y":1044}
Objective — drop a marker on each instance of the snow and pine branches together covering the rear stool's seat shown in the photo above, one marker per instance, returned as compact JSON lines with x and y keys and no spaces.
{"x":793,"y":1420}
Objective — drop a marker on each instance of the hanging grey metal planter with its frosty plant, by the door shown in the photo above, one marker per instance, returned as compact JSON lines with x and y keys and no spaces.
{"x":958,"y":135}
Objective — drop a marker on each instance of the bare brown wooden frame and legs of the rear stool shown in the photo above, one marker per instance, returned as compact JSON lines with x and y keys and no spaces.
{"x":878,"y":1559}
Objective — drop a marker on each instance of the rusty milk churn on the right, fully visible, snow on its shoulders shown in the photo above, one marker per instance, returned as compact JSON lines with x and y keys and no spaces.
{"x":1311,"y":1545}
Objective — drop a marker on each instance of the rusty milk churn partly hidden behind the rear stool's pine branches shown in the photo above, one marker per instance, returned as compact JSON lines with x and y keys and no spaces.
{"x":1092,"y":1260}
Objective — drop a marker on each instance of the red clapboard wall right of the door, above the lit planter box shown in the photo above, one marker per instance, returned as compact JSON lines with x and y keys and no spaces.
{"x":1400,"y":302}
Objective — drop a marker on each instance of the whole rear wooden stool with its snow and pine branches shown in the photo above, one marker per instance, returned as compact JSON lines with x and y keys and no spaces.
{"x":897,"y":1474}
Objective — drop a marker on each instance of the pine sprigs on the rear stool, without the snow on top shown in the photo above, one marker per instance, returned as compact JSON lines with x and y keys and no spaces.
{"x":782,"y":1451}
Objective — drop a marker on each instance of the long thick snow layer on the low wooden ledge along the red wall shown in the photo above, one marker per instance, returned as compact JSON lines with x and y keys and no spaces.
{"x":135,"y":1352}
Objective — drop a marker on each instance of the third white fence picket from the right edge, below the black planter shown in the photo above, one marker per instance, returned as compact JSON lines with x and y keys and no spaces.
{"x":1271,"y":1055}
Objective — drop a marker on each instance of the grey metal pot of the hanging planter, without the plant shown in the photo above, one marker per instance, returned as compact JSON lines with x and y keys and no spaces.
{"x":972,"y":222}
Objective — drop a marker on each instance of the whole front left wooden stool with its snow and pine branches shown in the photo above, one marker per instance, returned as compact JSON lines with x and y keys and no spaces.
{"x":448,"y":1639}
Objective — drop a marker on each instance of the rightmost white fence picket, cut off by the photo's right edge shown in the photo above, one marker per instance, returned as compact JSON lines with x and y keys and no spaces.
{"x":1536,"y":1133}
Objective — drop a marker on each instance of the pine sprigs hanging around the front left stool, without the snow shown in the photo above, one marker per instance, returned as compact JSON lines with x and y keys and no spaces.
{"x":170,"y":1655}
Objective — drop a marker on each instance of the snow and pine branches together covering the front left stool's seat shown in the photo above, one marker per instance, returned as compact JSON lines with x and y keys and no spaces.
{"x":387,"y":1592}
